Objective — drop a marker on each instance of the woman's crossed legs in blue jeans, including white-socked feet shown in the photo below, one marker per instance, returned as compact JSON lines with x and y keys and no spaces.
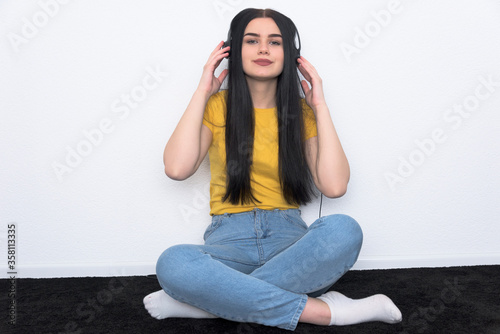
{"x":198,"y":281}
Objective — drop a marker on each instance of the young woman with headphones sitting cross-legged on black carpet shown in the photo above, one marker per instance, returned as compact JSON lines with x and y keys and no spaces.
{"x":260,"y":262}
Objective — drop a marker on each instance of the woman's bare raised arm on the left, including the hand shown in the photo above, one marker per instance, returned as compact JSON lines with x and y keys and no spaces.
{"x":189,"y":143}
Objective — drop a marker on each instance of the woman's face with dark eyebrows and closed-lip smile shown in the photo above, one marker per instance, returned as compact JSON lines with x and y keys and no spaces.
{"x":262,"y":50}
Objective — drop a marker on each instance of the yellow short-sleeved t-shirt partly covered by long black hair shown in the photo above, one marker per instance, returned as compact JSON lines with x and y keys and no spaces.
{"x":264,"y":173}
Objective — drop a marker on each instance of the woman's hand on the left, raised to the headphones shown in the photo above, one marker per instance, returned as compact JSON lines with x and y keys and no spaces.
{"x":209,"y":83}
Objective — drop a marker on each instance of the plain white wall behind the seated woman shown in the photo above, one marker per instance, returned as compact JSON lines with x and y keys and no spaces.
{"x":68,"y":69}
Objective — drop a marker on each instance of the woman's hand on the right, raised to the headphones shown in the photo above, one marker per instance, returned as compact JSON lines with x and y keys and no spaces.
{"x":314,"y":96}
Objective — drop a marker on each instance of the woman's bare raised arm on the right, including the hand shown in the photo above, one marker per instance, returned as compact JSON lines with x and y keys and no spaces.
{"x":325,"y":156}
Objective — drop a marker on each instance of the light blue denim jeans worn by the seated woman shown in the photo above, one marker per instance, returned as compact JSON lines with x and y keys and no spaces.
{"x":260,"y":266}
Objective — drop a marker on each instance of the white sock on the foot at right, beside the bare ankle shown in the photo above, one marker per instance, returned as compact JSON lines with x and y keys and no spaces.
{"x":347,"y":311}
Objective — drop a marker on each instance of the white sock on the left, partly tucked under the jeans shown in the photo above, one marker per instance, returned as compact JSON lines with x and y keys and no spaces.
{"x":161,"y":306}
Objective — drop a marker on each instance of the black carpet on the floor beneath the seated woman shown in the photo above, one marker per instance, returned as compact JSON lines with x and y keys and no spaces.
{"x":436,"y":300}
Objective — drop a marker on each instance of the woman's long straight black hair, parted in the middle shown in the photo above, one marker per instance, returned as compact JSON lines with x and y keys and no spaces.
{"x":295,"y":177}
